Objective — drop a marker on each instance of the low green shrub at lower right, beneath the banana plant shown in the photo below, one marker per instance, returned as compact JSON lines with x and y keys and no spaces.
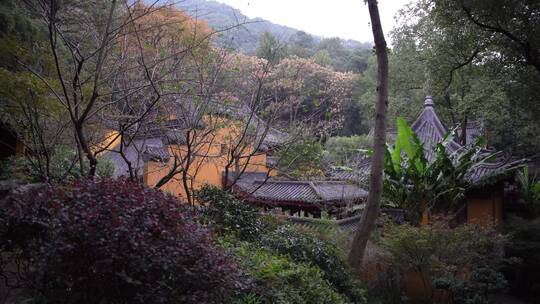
{"x":466,"y":260}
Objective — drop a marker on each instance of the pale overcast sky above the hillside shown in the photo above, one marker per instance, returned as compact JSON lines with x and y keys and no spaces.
{"x":337,"y":18}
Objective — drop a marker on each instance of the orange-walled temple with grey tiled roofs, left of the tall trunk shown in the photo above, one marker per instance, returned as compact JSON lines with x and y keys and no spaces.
{"x":152,"y":149}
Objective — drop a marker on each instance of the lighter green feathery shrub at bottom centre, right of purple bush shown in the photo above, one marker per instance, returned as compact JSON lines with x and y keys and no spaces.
{"x":277,"y":279}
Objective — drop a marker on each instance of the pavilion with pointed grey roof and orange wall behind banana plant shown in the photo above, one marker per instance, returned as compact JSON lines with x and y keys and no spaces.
{"x":490,"y":181}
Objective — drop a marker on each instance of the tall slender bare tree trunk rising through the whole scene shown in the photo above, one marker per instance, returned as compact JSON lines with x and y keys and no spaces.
{"x":371,"y":211}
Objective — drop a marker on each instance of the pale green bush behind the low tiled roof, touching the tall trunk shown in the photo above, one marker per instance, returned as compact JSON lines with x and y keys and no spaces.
{"x":341,"y":150}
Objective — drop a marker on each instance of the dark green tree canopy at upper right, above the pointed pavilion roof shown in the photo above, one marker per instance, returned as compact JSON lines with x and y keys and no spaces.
{"x":474,"y":73}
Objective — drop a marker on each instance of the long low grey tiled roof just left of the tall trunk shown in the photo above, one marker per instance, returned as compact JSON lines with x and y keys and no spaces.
{"x":257,"y":186}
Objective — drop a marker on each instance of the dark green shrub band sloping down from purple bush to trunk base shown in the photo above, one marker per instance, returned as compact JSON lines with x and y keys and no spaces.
{"x":228,"y":214}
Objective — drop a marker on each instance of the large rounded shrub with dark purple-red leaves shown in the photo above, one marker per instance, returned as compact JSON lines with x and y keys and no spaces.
{"x":113,"y":242}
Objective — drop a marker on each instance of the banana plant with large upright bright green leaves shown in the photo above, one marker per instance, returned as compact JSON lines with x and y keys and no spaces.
{"x":416,"y":184}
